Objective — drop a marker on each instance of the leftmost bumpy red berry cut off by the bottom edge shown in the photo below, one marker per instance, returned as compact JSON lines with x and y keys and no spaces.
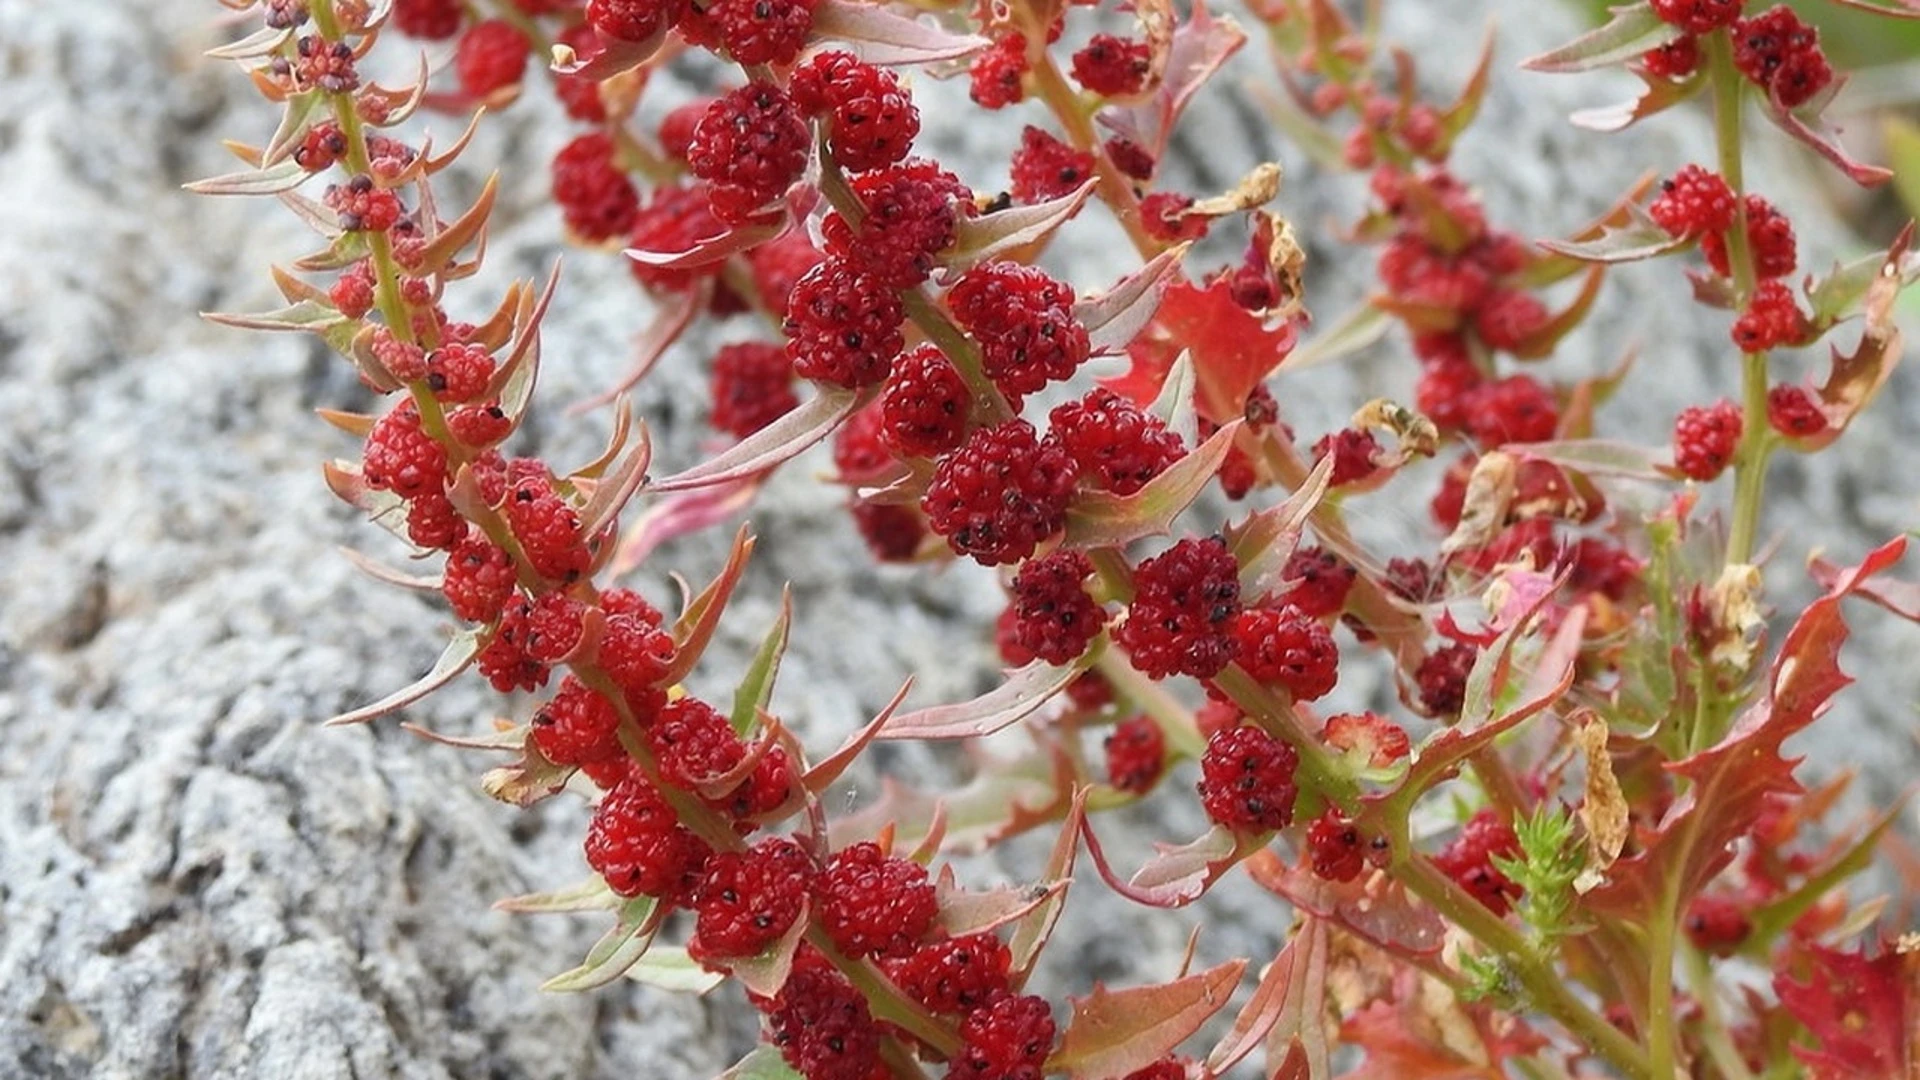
{"x":823,"y":1025}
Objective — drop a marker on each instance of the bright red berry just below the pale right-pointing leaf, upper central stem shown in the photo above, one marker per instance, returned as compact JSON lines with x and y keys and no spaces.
{"x":1024,"y":322}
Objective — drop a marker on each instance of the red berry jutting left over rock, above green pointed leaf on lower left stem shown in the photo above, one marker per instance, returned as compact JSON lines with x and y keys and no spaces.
{"x":640,"y":848}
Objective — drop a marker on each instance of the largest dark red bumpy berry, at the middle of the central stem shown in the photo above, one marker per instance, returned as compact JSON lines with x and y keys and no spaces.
{"x":1001,"y":493}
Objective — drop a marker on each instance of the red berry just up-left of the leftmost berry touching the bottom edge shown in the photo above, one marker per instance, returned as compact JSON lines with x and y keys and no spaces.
{"x":750,"y":900}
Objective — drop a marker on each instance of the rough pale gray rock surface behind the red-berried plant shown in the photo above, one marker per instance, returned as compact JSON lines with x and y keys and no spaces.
{"x":199,"y":881}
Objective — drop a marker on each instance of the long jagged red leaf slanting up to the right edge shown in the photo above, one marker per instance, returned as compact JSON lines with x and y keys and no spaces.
{"x":1731,"y":783}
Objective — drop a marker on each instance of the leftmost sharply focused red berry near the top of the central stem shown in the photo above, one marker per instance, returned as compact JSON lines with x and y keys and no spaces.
{"x":750,"y":147}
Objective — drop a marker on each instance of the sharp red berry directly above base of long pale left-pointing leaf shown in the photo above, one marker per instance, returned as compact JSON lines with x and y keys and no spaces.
{"x":844,"y":328}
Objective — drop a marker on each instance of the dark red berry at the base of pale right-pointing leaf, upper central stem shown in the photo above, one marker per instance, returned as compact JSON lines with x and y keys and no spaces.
{"x":911,"y":216}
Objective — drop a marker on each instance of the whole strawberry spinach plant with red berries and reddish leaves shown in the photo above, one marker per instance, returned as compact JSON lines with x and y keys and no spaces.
{"x":1572,"y":848}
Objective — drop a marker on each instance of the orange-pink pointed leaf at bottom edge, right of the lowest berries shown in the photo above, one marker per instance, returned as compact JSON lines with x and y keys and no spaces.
{"x":1118,"y":1031}
